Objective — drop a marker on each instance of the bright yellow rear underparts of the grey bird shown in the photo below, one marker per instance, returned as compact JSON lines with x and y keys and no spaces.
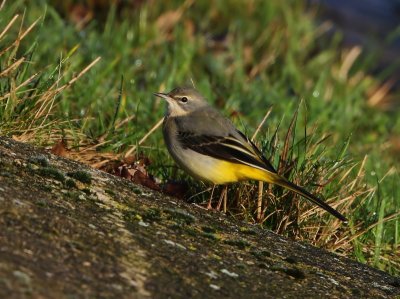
{"x":226,"y":172}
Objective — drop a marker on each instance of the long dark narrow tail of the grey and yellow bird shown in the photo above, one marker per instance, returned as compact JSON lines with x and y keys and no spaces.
{"x":278,"y":180}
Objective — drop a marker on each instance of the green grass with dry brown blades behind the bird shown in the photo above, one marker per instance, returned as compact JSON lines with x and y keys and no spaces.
{"x":245,"y":59}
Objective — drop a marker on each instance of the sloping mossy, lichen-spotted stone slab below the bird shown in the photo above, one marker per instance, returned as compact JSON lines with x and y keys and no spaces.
{"x":70,"y":231}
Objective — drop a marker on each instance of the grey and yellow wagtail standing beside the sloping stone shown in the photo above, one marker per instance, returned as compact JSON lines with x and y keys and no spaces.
{"x":209,"y":147}
